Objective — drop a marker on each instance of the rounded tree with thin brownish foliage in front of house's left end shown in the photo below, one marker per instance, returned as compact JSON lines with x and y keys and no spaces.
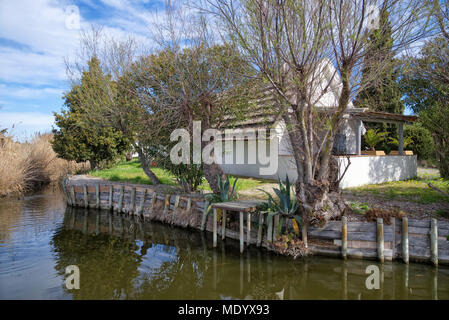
{"x":191,"y":77}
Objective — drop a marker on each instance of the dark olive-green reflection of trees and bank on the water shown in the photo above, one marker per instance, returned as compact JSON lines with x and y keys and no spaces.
{"x":122,"y":257}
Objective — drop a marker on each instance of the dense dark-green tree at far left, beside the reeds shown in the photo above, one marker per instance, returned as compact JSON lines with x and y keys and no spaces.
{"x":79,"y":136}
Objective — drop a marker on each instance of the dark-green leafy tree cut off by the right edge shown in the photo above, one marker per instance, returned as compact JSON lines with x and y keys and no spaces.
{"x":426,"y":89}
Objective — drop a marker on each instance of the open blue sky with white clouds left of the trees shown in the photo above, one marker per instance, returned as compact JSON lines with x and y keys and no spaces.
{"x":36,"y":36}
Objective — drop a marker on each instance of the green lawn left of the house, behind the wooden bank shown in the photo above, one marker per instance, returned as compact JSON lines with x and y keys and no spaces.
{"x":132,"y":172}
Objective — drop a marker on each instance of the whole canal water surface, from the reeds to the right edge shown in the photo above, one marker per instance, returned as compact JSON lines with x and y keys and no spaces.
{"x":121,"y":257}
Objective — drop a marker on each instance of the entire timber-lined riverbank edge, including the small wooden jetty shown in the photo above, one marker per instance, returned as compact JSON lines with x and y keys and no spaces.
{"x":377,"y":235}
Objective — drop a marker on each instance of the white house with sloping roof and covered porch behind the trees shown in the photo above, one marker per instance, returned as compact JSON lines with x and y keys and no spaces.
{"x":364,"y":169}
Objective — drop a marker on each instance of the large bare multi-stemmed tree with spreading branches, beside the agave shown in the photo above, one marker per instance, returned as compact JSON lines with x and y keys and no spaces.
{"x":305,"y":49}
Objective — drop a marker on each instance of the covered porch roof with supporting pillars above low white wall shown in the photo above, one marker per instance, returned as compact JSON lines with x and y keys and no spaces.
{"x":363,"y":114}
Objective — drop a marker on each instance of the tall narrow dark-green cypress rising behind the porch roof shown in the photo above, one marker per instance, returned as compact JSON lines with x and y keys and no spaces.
{"x":381,"y":93}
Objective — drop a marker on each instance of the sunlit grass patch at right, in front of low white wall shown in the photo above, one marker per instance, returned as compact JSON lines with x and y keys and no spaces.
{"x":415,"y":190}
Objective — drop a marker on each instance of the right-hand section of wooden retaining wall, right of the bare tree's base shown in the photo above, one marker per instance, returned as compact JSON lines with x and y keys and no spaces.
{"x":405,"y":239}
